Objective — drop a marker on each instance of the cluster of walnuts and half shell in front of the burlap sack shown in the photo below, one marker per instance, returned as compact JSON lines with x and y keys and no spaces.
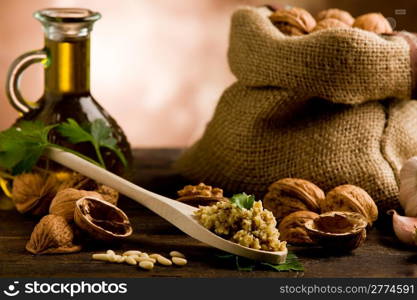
{"x":297,"y":202}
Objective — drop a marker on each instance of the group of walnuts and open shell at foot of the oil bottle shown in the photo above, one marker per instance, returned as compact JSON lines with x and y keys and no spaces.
{"x":66,"y":202}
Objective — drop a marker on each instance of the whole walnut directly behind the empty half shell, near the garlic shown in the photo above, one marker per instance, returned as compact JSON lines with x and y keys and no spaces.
{"x":350,"y":198}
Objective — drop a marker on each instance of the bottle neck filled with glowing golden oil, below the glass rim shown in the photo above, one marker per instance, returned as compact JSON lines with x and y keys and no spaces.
{"x":68,"y":67}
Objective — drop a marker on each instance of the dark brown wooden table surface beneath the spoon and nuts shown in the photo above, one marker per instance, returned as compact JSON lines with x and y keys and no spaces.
{"x":380,"y":256}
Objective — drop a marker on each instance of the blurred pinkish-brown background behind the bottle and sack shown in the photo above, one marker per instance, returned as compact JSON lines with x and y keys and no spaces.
{"x":158,"y":66}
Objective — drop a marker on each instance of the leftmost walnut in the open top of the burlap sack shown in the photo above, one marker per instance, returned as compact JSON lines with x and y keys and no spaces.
{"x":293,"y":21}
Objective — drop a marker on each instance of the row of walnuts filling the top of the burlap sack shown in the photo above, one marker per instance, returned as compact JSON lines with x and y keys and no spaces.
{"x":296,"y":21}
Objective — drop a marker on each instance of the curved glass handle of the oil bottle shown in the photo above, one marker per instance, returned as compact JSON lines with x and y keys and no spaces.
{"x":13,"y":77}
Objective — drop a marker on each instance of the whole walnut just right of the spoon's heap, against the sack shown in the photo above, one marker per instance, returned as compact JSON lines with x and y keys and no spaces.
{"x":288,"y":195}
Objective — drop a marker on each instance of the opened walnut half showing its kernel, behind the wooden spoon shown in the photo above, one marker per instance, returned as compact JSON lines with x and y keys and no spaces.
{"x":200,"y":195}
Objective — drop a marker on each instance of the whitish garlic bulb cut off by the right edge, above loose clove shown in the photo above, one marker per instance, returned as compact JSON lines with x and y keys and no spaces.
{"x":408,"y":187}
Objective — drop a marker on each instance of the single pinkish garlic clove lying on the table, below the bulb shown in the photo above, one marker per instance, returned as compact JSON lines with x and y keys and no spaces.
{"x":404,"y":227}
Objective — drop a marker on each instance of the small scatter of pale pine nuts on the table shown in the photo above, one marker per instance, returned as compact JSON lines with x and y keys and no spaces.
{"x":142,"y":259}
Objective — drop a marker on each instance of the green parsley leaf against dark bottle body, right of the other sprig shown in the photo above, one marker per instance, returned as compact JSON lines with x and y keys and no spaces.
{"x":98,"y":133}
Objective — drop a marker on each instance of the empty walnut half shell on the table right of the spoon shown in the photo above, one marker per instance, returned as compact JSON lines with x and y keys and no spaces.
{"x":338,"y":231}
